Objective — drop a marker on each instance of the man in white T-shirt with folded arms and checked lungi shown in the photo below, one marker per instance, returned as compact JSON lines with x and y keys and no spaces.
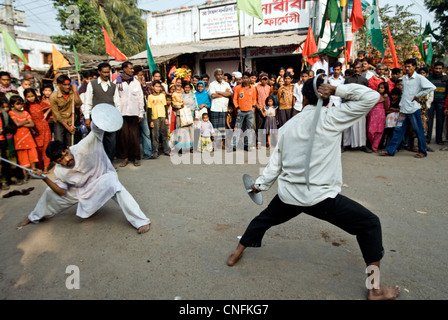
{"x":220,"y":93}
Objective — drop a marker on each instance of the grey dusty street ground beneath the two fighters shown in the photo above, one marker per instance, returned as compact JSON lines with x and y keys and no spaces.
{"x":198,"y":211}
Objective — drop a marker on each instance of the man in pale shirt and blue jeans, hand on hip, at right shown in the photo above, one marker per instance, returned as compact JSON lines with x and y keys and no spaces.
{"x":414,"y":87}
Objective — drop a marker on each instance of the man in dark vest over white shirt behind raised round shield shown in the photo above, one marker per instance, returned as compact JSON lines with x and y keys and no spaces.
{"x":102,"y":90}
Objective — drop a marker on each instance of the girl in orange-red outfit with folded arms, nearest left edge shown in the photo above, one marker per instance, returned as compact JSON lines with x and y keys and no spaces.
{"x":23,"y":140}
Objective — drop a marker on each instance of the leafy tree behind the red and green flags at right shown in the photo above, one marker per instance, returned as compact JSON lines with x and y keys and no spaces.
{"x":404,"y":31}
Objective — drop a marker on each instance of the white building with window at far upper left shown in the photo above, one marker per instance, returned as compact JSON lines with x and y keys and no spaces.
{"x":37,"y":48}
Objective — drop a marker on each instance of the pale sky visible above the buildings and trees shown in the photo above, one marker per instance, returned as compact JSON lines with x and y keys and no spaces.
{"x":41,"y":16}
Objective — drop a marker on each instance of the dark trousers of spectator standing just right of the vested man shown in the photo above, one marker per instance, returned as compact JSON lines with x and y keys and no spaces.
{"x":129,"y":139}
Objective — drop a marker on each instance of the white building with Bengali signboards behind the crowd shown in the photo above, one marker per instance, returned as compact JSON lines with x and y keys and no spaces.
{"x":205,"y":37}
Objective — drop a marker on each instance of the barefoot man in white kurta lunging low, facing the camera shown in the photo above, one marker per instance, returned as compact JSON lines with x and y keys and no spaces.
{"x":90,"y":181}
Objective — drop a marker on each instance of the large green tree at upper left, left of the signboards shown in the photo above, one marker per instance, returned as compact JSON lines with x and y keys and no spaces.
{"x":121,"y":18}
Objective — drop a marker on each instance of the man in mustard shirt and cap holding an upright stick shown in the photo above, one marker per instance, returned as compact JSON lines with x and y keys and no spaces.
{"x":63,"y":102}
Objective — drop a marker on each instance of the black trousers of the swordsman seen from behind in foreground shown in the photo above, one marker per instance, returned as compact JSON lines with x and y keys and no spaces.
{"x":340,"y":211}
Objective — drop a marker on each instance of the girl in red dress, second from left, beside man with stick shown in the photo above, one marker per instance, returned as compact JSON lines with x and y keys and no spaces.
{"x":37,"y":111}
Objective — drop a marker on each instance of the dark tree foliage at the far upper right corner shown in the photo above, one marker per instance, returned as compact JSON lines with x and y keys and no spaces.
{"x":440,"y":9}
